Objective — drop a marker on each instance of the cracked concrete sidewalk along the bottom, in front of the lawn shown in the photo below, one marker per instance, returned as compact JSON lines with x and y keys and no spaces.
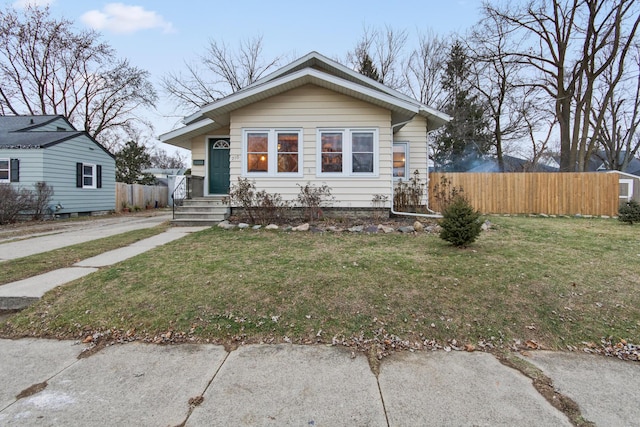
{"x":276,"y":385}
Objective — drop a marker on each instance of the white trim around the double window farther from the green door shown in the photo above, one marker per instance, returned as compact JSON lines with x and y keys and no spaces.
{"x":347,"y":166}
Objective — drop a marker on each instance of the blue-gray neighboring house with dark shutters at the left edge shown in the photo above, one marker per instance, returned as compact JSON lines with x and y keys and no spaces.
{"x":50,"y":149}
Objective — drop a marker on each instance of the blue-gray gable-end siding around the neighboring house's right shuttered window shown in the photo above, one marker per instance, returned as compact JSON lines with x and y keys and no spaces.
{"x":60,"y":172}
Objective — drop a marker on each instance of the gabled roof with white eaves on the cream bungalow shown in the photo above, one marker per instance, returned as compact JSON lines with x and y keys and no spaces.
{"x":311,"y":69}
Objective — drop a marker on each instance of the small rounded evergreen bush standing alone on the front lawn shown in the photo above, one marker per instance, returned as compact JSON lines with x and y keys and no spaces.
{"x":460,"y":222}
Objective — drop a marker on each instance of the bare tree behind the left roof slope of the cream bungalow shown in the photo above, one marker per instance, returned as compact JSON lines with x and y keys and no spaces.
{"x":221,"y":71}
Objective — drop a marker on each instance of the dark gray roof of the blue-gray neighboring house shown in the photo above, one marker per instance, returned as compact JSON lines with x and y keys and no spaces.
{"x":25,"y":132}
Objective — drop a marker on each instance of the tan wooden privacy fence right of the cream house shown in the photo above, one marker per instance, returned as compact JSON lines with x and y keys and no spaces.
{"x":551,"y":193}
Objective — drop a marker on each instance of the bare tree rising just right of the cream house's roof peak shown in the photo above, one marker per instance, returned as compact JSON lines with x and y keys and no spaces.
{"x":384,"y":48}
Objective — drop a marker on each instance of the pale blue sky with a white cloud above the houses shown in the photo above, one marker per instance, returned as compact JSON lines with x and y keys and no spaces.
{"x":160,"y":36}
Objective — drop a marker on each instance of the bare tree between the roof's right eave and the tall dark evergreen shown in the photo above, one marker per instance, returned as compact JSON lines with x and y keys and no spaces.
{"x":422,"y":71}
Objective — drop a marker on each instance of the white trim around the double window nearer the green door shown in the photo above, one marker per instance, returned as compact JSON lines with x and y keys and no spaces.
{"x":272,"y":153}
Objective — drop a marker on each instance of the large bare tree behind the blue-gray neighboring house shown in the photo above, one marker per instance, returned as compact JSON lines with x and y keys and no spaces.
{"x":46,"y":67}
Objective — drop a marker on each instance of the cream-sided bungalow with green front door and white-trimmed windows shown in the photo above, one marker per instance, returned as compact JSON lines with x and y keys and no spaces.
{"x":313,"y":121}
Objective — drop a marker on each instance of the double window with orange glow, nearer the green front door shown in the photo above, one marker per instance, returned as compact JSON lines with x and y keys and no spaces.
{"x":272,"y":152}
